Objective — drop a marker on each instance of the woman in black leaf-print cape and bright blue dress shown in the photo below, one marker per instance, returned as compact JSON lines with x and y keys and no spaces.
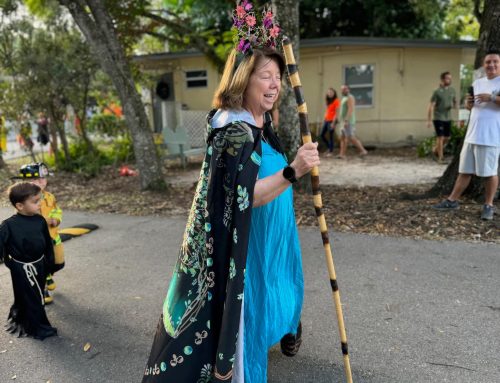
{"x":237,"y":287}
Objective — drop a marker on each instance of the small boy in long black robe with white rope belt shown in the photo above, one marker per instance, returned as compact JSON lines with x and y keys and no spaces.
{"x":27,"y":249}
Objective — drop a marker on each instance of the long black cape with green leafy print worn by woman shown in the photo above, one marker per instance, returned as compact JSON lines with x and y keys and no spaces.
{"x":195,"y":341}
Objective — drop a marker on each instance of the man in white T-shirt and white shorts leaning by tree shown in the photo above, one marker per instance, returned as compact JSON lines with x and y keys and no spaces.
{"x":481,"y":150}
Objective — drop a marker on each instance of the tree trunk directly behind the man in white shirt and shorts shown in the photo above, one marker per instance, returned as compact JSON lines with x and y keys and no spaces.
{"x":489,"y":39}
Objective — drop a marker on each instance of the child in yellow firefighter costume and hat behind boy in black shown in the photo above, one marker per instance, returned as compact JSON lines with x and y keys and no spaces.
{"x":37,"y":173}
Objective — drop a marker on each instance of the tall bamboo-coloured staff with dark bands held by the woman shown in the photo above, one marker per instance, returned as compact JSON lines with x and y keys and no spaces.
{"x":293,"y":74}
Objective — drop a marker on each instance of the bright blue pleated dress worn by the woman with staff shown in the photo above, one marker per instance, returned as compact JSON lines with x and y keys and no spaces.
{"x":274,"y":283}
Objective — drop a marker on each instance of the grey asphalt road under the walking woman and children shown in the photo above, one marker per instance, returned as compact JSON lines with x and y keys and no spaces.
{"x":415,"y":311}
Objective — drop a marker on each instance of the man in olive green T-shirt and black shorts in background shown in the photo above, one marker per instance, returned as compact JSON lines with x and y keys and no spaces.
{"x":442,"y":100}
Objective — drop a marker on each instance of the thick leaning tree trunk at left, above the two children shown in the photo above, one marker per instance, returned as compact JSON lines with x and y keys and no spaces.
{"x":97,"y":27}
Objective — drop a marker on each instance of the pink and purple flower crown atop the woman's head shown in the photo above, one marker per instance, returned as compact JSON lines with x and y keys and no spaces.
{"x":252,"y":32}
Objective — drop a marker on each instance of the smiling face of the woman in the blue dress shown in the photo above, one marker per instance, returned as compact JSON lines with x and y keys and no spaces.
{"x":263,"y":87}
